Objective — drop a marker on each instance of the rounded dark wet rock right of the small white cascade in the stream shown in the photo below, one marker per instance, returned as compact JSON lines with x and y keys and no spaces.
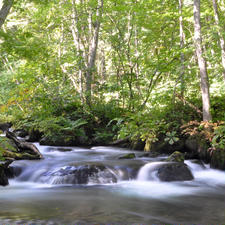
{"x":174,"y":172}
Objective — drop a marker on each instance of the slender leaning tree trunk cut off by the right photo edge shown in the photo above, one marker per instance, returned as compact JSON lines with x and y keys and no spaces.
{"x":222,"y":42}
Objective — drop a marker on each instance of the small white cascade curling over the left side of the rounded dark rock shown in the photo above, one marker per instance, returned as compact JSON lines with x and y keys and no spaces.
{"x":148,"y":171}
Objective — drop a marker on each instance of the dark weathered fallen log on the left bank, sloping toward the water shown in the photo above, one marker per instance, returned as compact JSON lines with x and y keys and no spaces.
{"x":24,"y":146}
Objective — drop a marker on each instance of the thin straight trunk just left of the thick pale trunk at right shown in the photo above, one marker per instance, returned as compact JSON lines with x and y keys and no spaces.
{"x":182,"y":67}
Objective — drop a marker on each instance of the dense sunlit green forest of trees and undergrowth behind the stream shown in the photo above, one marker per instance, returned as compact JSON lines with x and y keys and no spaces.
{"x":95,"y":71}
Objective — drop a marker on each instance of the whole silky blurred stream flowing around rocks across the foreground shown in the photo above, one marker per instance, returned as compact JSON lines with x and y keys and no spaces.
{"x":122,"y":191}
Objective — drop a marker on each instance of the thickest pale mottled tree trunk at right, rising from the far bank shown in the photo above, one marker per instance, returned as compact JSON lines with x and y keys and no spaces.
{"x":201,"y":63}
